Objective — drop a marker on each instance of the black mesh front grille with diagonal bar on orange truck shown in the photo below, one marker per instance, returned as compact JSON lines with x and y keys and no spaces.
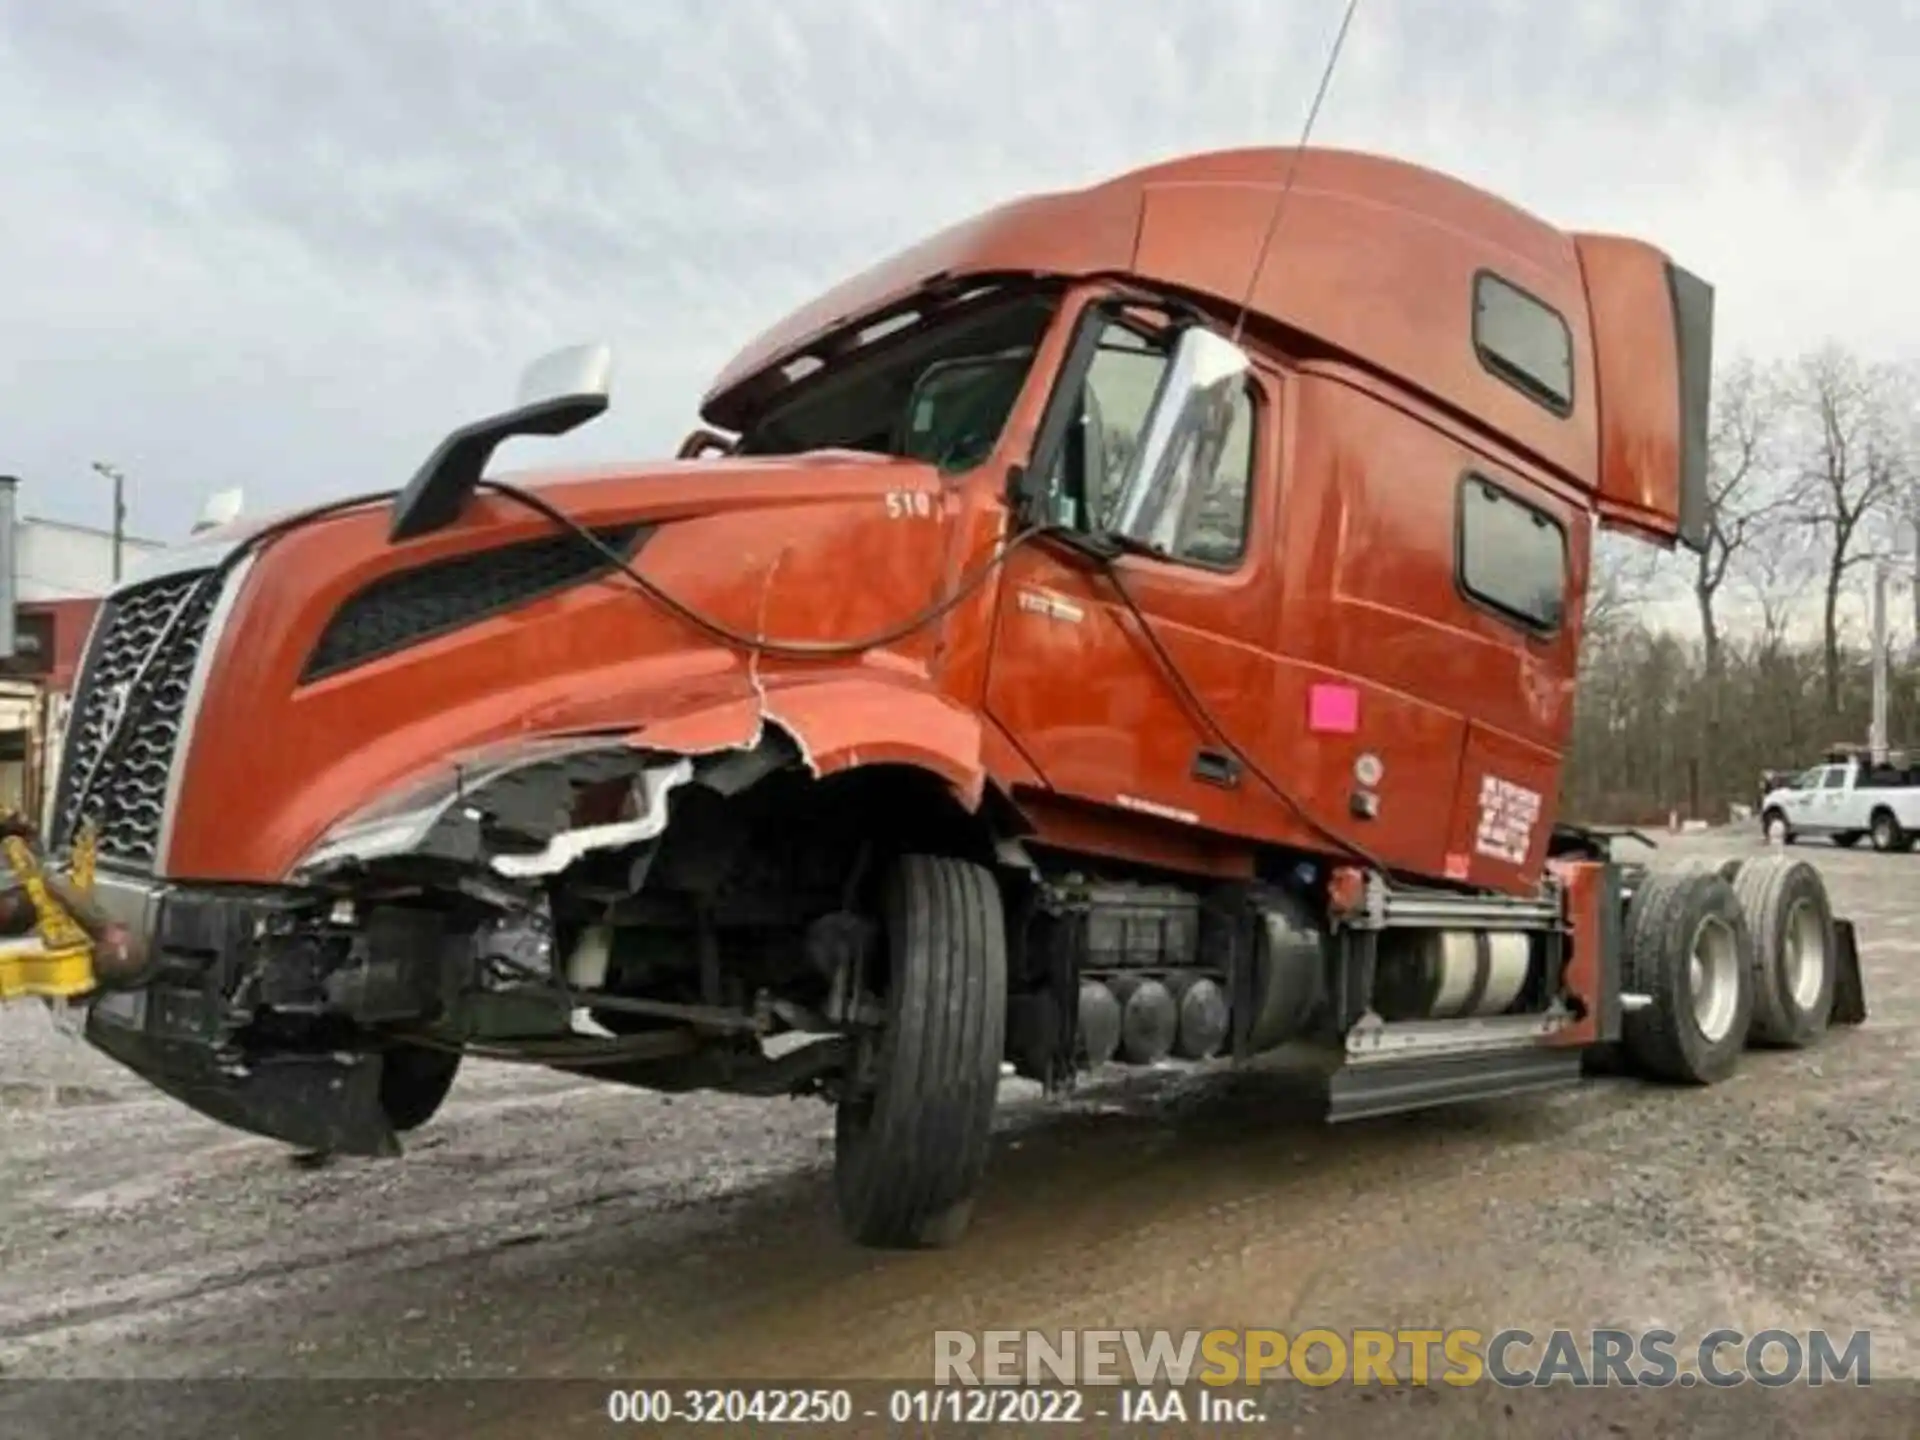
{"x":130,"y":794}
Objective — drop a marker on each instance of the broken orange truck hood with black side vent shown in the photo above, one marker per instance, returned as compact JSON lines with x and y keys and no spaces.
{"x":372,"y":663}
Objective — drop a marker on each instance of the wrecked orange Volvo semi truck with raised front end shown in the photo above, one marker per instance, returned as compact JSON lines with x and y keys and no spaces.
{"x":1120,"y":629}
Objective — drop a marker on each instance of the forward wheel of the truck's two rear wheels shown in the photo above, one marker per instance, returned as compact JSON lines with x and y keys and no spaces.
{"x":1689,"y":948}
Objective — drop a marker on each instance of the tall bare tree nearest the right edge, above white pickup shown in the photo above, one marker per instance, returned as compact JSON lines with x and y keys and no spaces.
{"x":1850,"y":475}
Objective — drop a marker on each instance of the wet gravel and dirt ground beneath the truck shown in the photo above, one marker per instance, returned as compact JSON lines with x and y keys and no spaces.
{"x":546,"y":1228}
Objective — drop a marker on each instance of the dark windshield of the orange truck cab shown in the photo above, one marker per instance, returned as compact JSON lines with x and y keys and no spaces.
{"x":936,"y":393}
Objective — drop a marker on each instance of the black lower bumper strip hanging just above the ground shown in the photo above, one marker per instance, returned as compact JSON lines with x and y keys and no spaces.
{"x":308,"y":1101}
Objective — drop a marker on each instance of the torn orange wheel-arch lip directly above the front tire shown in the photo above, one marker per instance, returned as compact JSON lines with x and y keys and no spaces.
{"x":848,"y":721}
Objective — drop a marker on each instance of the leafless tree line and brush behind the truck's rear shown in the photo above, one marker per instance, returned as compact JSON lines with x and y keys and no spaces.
{"x":1815,"y":471}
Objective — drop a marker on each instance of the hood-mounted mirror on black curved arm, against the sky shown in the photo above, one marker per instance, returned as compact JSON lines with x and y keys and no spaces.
{"x":560,"y":393}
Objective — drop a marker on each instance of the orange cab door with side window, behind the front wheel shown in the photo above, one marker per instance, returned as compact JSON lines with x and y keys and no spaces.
{"x":1109,"y":681}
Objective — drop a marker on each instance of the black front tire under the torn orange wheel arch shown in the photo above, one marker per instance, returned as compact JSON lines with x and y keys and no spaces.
{"x":913,"y":1130}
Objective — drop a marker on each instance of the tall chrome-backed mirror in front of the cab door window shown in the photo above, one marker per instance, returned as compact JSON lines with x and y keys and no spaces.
{"x":1186,"y":427}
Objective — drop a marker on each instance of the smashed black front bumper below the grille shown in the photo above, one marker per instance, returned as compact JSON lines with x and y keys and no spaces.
{"x":181,"y":1032}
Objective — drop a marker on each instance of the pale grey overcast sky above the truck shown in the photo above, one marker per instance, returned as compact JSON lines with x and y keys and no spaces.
{"x":289,"y":247}
